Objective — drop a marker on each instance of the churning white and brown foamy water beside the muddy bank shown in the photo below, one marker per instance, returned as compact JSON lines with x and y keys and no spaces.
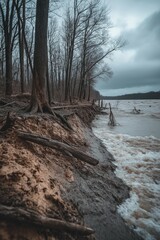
{"x":138,"y":164}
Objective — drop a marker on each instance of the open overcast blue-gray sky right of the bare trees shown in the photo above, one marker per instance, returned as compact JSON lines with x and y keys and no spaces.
{"x":136,"y":68}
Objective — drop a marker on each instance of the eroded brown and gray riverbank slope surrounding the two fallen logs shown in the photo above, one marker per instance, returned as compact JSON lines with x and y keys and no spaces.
{"x":58,"y":185}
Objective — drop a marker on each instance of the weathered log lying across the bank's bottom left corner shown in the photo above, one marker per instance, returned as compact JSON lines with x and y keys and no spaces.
{"x":32,"y":217}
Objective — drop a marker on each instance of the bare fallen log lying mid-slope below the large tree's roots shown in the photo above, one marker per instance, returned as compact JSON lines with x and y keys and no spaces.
{"x":64,"y":148}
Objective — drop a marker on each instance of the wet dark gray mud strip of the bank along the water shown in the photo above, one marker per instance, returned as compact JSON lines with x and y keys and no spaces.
{"x":97,"y":192}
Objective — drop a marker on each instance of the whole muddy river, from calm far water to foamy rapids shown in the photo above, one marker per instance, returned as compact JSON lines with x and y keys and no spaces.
{"x":135,"y":144}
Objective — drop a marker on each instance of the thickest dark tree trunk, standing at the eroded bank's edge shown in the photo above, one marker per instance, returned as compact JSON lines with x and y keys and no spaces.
{"x":39,"y":100}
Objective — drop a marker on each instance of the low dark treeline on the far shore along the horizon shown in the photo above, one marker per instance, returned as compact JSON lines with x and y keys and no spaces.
{"x":148,"y":95}
